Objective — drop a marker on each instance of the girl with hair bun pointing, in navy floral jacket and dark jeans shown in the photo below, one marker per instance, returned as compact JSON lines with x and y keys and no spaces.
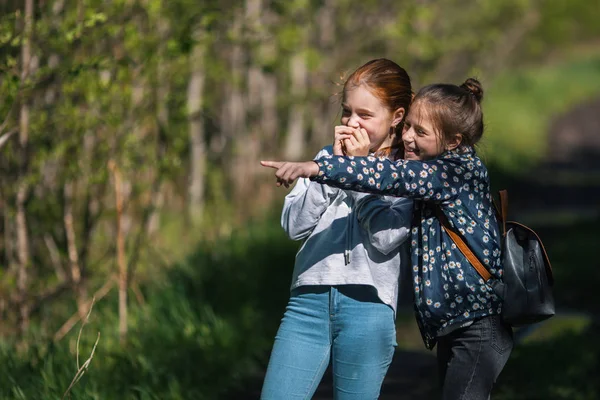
{"x":441,"y":172}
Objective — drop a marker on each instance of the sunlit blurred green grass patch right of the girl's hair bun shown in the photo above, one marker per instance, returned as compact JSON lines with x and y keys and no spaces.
{"x":521,"y":105}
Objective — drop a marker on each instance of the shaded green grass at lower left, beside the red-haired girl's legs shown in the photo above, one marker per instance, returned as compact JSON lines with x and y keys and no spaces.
{"x":207,"y":324}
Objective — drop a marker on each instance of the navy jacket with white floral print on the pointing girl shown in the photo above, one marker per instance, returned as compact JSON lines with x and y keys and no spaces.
{"x":449,"y":293}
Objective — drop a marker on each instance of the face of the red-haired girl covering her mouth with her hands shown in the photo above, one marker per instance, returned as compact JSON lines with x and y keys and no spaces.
{"x":362,"y":109}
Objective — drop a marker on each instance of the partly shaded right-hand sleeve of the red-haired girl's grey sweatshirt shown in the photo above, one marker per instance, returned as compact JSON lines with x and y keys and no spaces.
{"x":386,"y":220}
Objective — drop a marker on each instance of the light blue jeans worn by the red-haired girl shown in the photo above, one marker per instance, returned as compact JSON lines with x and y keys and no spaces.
{"x":348,"y":325}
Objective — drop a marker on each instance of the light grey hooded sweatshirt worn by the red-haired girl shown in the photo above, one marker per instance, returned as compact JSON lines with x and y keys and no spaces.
{"x":350,"y":238}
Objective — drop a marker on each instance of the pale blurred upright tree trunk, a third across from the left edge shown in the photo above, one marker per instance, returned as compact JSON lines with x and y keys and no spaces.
{"x":195,"y":95}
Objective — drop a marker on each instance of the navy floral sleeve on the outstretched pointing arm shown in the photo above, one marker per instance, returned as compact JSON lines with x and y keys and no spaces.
{"x":436,"y":180}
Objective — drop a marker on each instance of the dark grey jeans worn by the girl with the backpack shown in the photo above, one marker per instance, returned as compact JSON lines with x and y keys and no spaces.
{"x":470,"y":359}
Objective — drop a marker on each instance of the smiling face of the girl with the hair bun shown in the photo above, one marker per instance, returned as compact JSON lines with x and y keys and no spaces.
{"x":420,"y":137}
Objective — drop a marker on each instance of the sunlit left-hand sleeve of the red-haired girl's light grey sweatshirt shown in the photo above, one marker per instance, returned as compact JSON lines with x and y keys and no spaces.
{"x":305,"y":204}
